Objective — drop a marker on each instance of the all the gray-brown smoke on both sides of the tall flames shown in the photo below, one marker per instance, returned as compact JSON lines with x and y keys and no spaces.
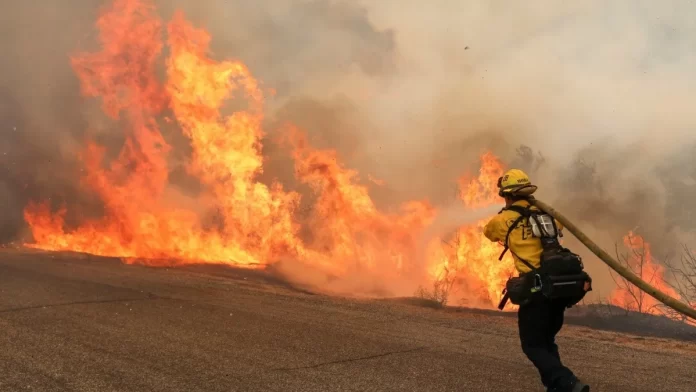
{"x":409,"y":93}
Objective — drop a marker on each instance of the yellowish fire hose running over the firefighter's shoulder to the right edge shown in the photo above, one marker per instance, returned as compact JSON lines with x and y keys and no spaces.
{"x":616,"y":266}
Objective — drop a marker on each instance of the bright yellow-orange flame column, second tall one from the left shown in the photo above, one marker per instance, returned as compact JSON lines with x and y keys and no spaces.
{"x":227,"y":150}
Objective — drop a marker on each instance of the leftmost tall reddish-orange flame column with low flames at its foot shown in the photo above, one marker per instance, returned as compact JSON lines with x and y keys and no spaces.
{"x":123,"y":75}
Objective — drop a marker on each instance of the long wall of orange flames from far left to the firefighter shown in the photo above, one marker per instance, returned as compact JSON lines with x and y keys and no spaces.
{"x":241,"y":220}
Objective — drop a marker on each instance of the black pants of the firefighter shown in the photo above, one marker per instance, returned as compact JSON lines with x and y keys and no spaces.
{"x":539,"y":322}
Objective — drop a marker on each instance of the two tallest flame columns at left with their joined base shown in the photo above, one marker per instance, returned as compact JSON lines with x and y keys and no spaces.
{"x":138,"y":224}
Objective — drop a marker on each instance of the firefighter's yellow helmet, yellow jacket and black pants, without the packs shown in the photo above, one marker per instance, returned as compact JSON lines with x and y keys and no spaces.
{"x":541,"y":318}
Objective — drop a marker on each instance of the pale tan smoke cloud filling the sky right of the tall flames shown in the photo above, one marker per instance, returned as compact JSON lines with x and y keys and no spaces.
{"x":411,"y":93}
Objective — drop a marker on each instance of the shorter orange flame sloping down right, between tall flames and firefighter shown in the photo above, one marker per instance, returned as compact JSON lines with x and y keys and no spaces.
{"x":350,"y":232}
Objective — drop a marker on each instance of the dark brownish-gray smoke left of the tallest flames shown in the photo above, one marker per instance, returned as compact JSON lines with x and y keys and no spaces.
{"x":41,"y":116}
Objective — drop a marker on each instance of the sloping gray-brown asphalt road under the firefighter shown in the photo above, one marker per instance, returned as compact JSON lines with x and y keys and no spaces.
{"x":82,"y":324}
